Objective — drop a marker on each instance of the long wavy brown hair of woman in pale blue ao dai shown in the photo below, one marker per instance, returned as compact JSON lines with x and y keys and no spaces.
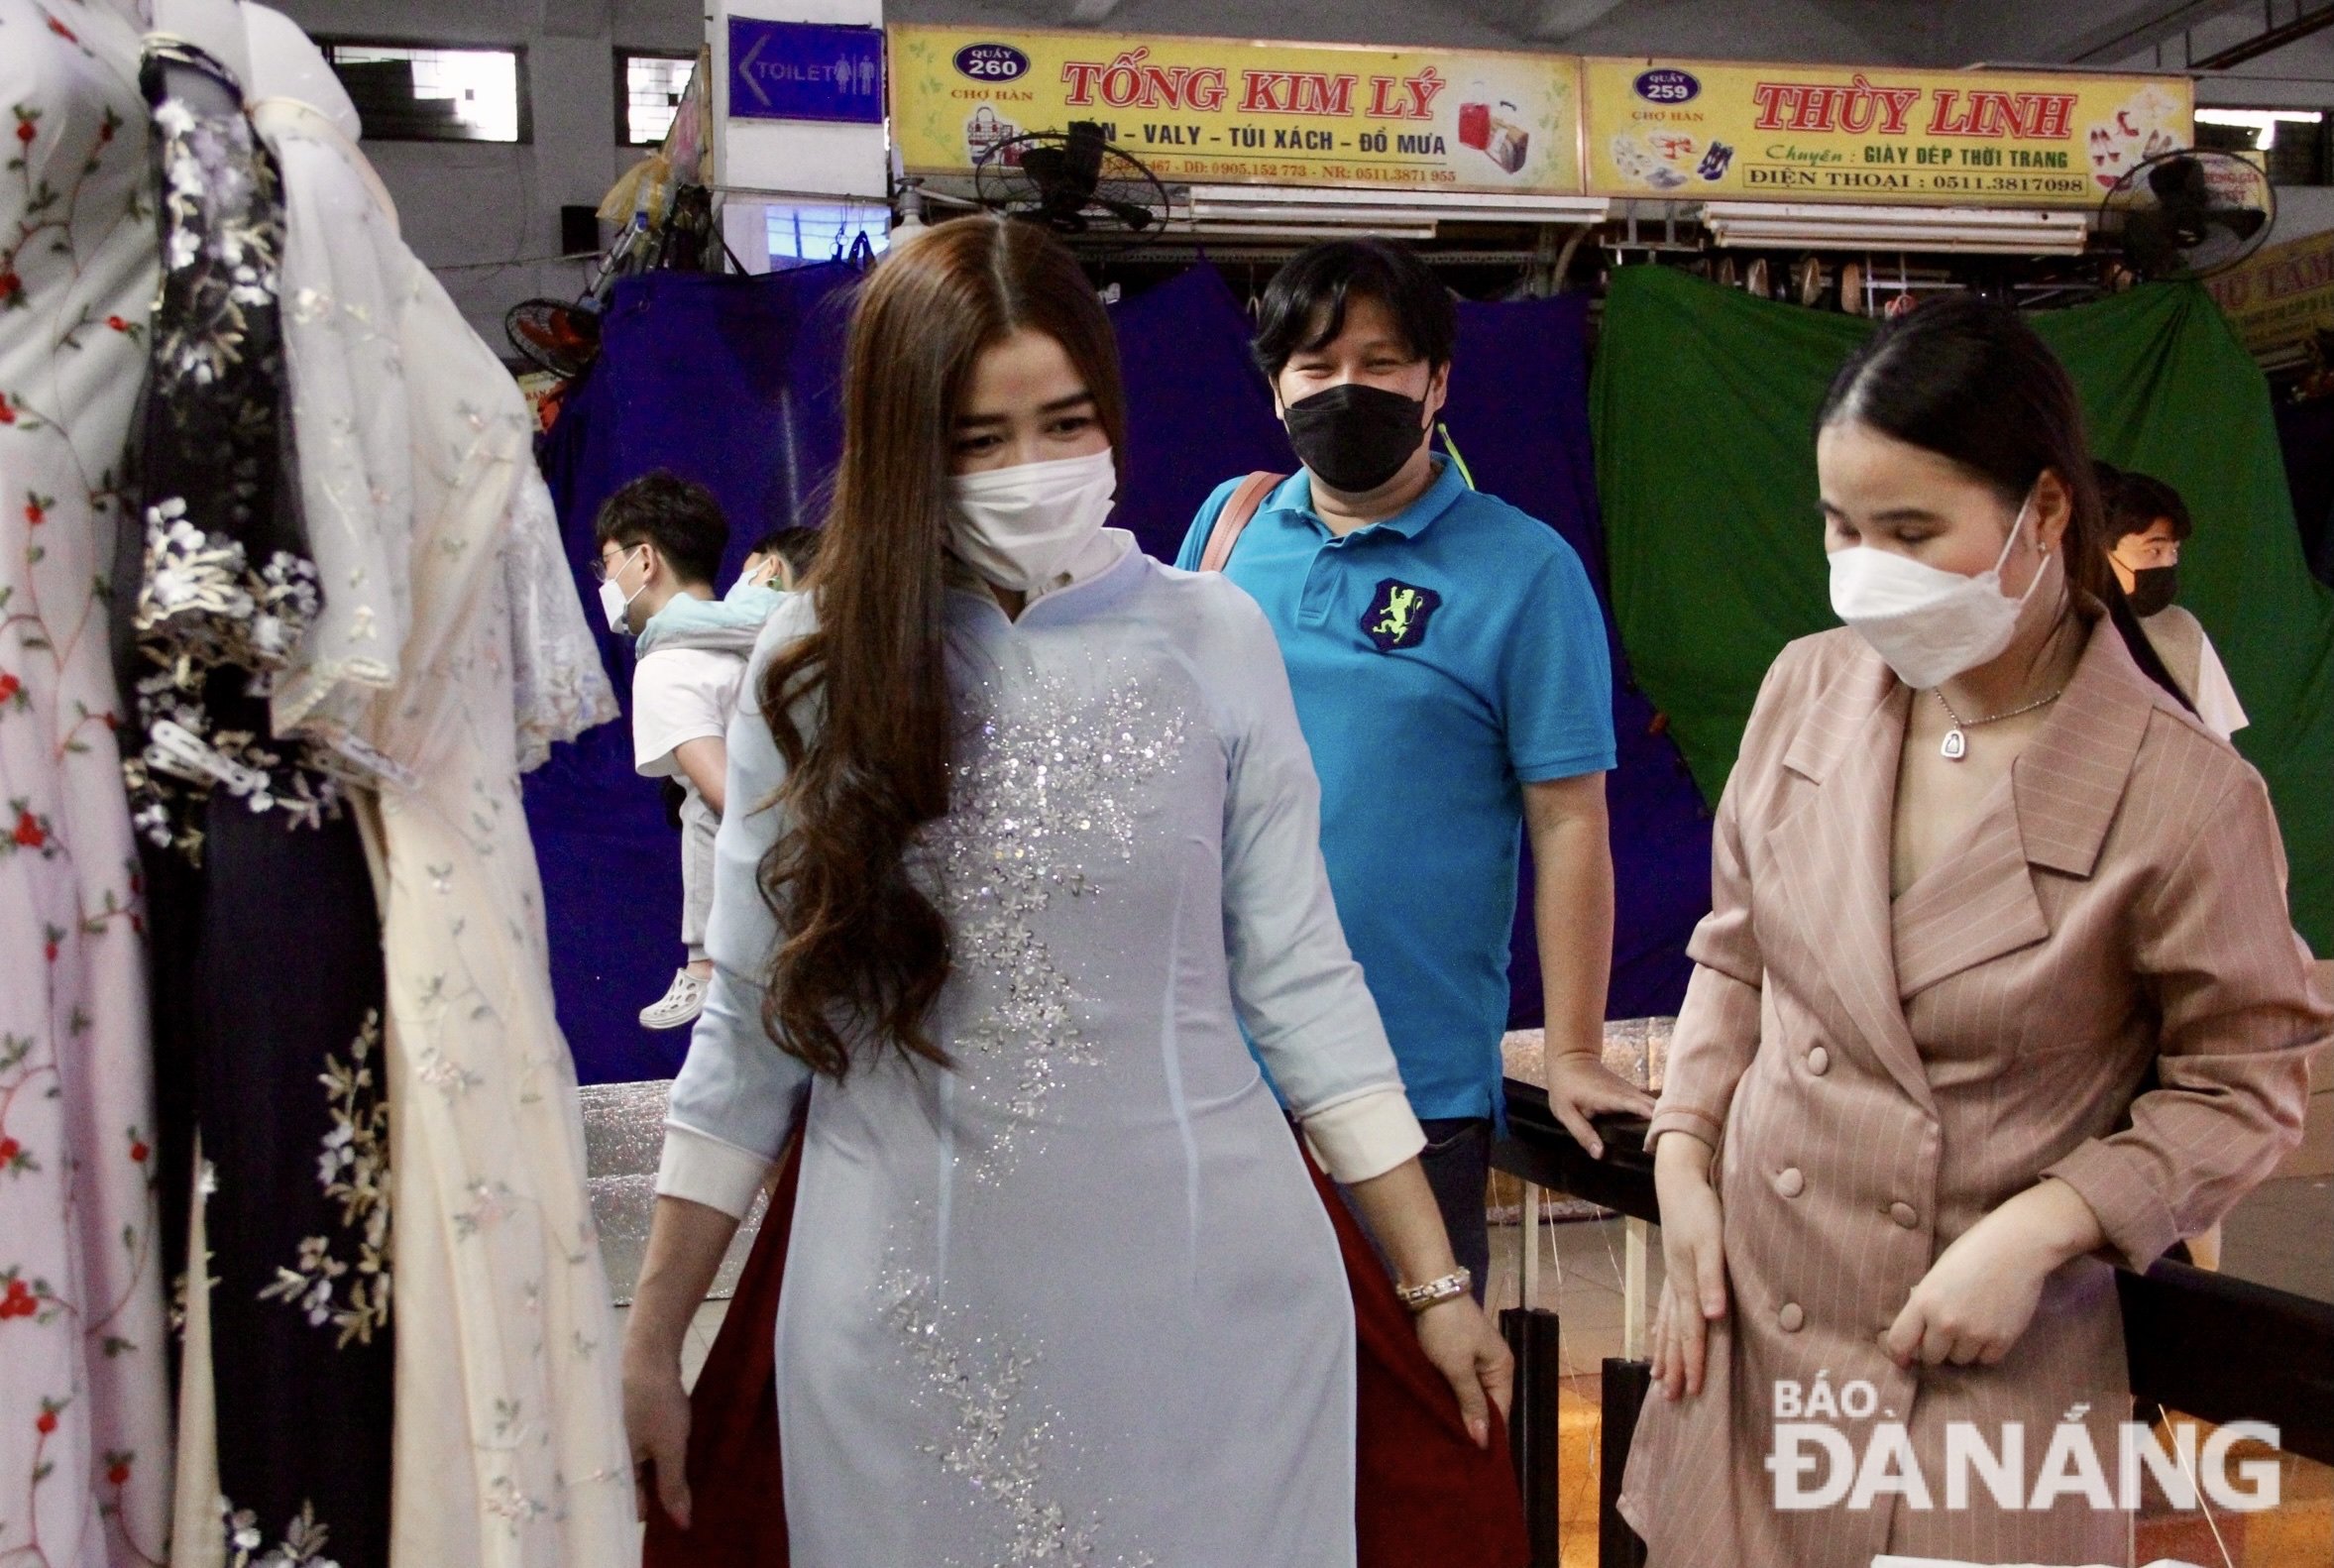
{"x":862,"y":708}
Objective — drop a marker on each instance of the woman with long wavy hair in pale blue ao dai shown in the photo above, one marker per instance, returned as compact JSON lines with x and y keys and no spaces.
{"x":1026,"y":839}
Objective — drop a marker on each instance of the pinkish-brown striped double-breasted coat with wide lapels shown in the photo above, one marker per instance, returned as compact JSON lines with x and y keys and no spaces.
{"x":2099,"y":986}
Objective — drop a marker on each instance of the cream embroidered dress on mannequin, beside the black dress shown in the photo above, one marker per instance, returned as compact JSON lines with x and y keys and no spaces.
{"x":447,"y":657}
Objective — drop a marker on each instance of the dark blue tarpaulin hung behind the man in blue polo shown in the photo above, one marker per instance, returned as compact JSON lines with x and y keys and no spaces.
{"x":734,"y":381}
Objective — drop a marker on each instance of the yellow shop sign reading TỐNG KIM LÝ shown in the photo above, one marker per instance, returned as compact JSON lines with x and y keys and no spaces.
{"x":1206,"y":111}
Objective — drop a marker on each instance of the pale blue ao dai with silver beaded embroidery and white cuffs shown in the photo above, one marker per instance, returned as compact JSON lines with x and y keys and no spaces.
{"x":1072,"y":1301}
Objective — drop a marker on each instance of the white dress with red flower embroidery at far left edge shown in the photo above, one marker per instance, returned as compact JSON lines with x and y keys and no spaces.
{"x":85,"y":1434}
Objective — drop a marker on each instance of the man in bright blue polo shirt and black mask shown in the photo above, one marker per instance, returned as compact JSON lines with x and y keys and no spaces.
{"x":1451,"y":671}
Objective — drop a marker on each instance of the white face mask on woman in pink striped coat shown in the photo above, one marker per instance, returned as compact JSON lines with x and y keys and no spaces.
{"x":1924,"y":622}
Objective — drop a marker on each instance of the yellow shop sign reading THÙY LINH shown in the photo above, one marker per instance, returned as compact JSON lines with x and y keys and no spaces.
{"x":1791,"y":134}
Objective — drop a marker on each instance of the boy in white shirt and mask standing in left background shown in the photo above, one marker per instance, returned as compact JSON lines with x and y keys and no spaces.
{"x":662,"y":542}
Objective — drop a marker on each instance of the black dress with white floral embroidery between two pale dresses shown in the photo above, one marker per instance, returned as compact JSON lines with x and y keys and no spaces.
{"x":267,"y":1053}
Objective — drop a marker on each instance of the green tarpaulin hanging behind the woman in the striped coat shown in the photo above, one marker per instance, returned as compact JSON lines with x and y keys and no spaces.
{"x":1705,"y":407}
